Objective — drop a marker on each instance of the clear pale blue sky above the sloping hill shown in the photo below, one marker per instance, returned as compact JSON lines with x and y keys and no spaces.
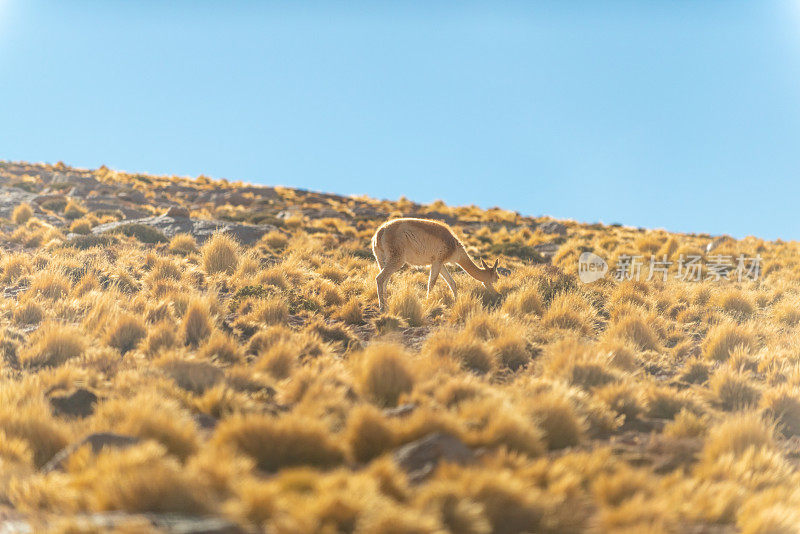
{"x":676,"y":115}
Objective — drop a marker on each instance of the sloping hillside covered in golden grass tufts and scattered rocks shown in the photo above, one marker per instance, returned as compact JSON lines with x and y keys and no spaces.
{"x":191,"y":355}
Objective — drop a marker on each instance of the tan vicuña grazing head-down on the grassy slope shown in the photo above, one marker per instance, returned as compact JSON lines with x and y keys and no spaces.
{"x":424,"y":242}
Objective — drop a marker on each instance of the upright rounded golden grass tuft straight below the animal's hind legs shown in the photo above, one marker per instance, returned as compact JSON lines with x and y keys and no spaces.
{"x":384,"y":374}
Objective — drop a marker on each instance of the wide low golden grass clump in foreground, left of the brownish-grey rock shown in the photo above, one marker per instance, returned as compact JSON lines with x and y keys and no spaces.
{"x":276,"y":443}
